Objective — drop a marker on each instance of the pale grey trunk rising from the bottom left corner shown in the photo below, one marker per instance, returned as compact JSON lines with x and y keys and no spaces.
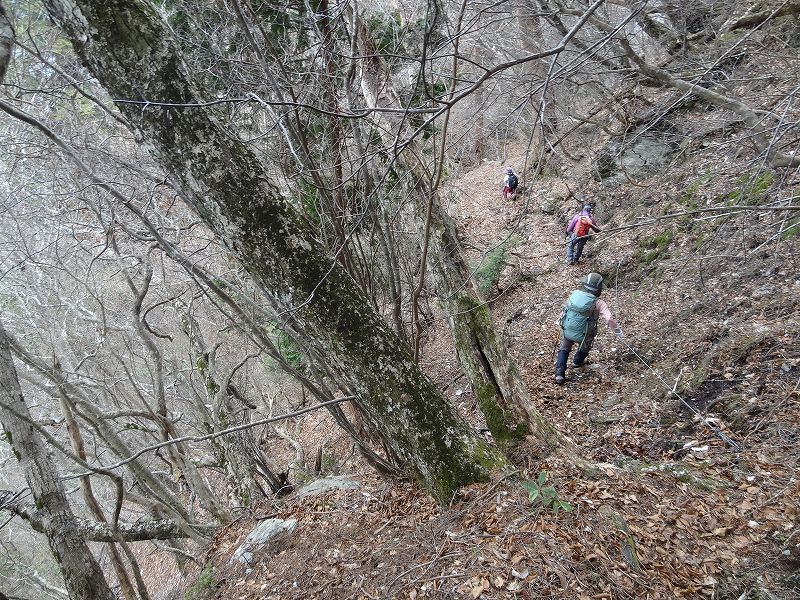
{"x":82,"y":574}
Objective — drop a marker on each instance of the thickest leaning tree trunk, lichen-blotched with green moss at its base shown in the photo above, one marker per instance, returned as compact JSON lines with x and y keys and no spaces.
{"x":128,"y":47}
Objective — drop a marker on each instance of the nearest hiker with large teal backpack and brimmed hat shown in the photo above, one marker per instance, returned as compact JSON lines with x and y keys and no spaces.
{"x":578,"y":322}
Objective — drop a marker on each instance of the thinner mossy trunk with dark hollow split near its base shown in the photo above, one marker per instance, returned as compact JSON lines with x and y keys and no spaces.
{"x":500,"y":391}
